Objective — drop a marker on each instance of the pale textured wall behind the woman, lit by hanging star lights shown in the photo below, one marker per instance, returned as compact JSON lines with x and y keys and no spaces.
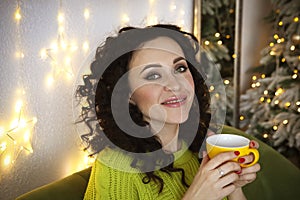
{"x":55,"y":139}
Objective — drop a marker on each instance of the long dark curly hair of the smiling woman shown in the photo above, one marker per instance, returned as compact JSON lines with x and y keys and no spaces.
{"x":110,"y":64}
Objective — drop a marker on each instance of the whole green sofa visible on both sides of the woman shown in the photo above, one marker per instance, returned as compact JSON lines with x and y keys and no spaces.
{"x":278,"y":179}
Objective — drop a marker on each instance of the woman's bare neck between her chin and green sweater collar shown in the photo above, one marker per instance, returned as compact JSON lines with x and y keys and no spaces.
{"x":168,"y":136}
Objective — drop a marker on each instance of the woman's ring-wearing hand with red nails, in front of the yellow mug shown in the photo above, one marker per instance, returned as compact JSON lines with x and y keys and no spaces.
{"x":216,"y":177}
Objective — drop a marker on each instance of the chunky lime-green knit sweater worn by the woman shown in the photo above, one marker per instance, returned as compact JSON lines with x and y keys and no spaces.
{"x":122,"y":182}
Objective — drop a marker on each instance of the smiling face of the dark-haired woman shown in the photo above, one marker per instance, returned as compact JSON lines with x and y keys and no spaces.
{"x":161,"y":83}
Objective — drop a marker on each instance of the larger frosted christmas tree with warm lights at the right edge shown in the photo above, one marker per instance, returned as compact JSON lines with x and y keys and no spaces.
{"x":271,"y":107}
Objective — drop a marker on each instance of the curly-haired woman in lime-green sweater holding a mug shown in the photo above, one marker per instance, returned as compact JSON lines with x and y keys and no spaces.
{"x":147,"y":92}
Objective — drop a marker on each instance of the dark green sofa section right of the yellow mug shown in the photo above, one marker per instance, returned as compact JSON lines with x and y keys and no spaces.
{"x":278,"y":178}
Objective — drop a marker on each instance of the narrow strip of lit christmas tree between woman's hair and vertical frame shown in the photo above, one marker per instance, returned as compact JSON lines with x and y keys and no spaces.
{"x":217,"y":39}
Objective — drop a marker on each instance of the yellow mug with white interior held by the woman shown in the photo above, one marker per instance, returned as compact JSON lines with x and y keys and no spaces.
{"x":219,"y":143}
